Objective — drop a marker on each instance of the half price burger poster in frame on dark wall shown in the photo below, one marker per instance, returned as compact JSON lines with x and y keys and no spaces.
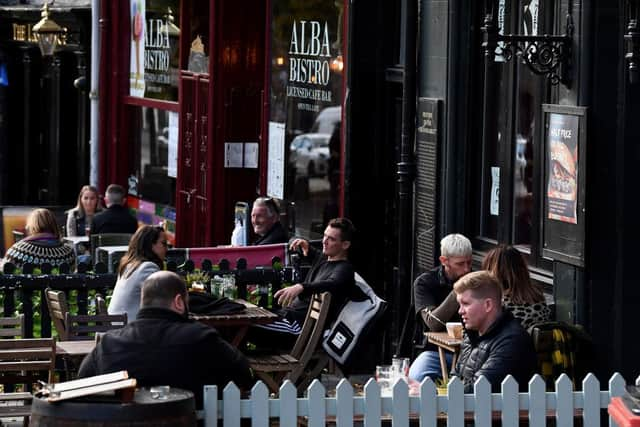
{"x":562,"y":163}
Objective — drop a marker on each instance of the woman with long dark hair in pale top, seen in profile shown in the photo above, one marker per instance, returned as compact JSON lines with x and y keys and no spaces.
{"x":147,"y":250}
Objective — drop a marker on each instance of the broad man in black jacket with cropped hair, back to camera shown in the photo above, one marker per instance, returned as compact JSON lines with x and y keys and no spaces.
{"x":163,"y":347}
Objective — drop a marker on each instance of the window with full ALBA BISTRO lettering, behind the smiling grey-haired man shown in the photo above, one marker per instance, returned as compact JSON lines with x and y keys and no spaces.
{"x":306,"y":95}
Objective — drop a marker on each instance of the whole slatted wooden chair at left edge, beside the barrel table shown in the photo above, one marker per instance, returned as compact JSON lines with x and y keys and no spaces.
{"x":24,"y":361}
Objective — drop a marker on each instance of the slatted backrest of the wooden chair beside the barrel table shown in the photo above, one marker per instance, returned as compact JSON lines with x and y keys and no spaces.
{"x":24,"y":361}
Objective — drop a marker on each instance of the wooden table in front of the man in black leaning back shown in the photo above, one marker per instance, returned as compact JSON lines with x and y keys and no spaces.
{"x":239,"y":322}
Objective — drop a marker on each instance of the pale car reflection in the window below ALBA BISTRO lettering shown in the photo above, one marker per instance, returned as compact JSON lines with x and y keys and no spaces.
{"x":309,"y":154}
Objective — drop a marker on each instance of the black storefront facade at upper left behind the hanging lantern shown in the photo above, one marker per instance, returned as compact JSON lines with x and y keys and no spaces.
{"x":44,"y":105}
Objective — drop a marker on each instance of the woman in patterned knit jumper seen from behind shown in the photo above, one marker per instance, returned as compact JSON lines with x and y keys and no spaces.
{"x":42,"y":244}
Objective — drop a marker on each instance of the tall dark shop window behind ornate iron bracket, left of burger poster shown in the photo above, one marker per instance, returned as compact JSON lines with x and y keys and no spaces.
{"x":506,"y":200}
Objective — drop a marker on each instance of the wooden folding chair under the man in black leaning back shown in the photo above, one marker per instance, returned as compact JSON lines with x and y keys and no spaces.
{"x":306,"y":360}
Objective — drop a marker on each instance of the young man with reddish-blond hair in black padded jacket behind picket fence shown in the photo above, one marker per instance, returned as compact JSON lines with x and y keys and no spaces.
{"x":495,"y":344}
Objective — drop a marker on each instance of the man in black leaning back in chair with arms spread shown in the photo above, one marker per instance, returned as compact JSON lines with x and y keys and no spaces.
{"x":331,"y":272}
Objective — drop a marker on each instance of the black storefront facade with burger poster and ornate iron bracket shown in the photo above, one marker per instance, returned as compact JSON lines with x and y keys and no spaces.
{"x":510,"y":149}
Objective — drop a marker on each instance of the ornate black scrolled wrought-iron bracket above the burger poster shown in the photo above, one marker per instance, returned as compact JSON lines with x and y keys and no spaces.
{"x":546,"y":55}
